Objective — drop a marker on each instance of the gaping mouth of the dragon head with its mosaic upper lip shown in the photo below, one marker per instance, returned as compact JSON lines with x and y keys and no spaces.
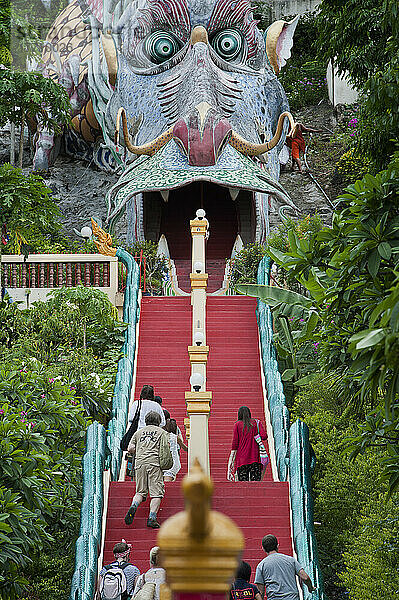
{"x":236,"y":186}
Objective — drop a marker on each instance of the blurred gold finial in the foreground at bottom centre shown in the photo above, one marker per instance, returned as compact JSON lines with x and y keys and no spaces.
{"x":199,"y":547}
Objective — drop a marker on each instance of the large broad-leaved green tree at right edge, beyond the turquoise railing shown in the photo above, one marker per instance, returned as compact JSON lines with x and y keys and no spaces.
{"x":350,"y":272}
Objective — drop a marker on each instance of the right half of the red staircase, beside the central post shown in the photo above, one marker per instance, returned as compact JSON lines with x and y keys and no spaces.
{"x":233,"y":375}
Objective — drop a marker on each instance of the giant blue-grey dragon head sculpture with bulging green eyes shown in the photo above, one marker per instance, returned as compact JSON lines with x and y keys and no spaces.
{"x":193,"y":86}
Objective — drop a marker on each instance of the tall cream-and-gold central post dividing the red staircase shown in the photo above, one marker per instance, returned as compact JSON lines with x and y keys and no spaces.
{"x":198,"y":400}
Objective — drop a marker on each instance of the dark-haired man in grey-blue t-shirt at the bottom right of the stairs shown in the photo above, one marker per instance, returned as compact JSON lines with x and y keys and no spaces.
{"x":277,"y":573}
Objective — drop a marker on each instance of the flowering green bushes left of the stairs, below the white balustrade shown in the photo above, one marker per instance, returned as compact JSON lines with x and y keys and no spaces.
{"x":49,"y":386}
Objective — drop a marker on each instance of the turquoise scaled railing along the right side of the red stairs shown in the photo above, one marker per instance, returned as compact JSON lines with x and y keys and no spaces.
{"x":294,"y":454}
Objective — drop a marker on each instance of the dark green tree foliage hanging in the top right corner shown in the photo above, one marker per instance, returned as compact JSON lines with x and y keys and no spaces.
{"x":363,"y":40}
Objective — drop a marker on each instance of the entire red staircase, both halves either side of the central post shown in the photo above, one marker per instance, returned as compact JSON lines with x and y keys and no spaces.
{"x":234,"y":378}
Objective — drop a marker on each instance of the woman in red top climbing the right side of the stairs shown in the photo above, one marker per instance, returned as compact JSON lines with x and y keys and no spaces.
{"x":244,"y":457}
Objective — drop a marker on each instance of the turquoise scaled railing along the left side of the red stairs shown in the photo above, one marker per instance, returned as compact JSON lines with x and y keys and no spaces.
{"x":103,"y":447}
